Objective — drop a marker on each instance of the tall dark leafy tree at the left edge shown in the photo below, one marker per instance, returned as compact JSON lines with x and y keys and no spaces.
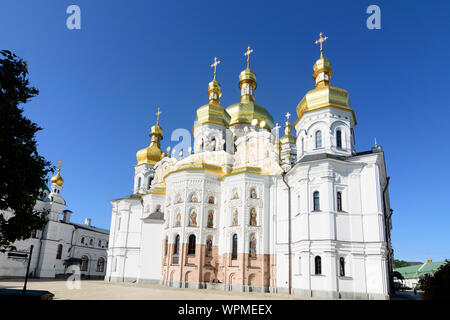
{"x":22,"y":170}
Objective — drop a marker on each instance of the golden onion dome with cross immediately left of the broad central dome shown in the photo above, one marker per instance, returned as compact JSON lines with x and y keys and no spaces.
{"x":213,"y":112}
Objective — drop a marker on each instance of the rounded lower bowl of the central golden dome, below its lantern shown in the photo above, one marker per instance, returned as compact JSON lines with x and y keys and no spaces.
{"x":245,"y":112}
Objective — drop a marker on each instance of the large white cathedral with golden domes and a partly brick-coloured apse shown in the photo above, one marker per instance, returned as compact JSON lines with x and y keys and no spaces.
{"x":304,"y":214}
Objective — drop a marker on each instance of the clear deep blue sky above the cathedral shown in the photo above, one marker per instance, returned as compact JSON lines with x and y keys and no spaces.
{"x":100,"y":86}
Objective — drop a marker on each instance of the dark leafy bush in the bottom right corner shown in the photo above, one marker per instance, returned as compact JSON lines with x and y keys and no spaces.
{"x":437,"y":286}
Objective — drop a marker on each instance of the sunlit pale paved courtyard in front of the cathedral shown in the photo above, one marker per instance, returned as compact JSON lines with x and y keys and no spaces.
{"x":100,"y":290}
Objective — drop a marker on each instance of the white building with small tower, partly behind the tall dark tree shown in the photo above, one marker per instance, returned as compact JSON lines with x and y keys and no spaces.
{"x":60,"y":246}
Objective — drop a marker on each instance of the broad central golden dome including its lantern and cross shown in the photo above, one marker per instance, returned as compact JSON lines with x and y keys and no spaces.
{"x":245,"y":111}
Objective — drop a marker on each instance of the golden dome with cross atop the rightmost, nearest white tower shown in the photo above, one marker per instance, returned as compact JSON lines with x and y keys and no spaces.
{"x":324,"y":95}
